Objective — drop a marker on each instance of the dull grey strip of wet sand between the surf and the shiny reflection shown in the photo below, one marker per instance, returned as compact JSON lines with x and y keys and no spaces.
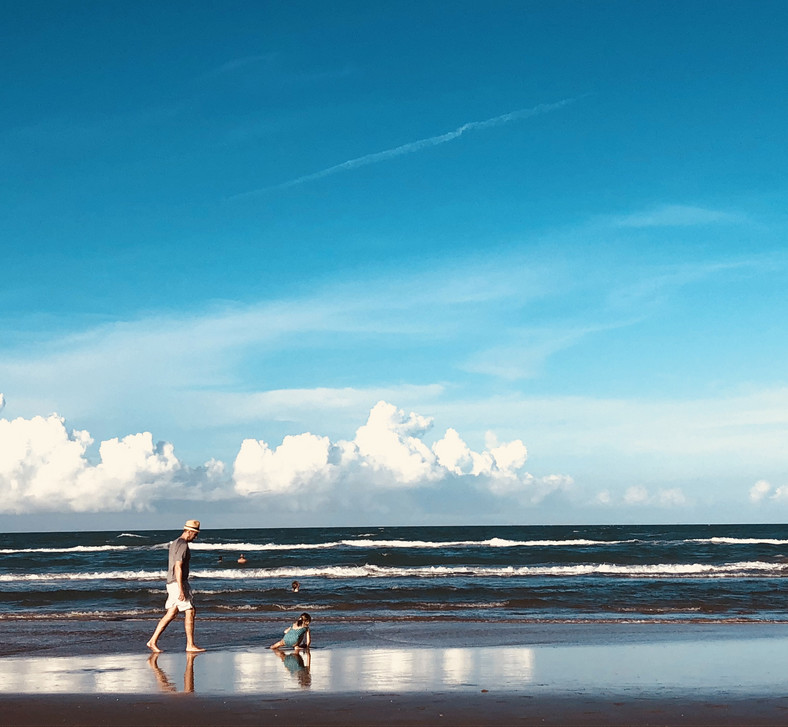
{"x":85,"y":635}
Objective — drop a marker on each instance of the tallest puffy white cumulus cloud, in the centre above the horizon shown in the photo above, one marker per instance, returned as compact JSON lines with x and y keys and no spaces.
{"x":388,"y":453}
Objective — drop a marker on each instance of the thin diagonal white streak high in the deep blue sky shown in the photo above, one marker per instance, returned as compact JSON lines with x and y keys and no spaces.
{"x":413,"y":146}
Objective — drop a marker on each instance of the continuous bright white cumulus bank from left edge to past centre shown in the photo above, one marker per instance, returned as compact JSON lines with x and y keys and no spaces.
{"x":46,"y":468}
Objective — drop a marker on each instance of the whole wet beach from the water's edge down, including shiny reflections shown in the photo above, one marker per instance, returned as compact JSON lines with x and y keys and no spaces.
{"x":397,"y":673}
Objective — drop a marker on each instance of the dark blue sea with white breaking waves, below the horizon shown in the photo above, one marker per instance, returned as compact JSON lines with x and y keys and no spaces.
{"x":603,"y":573}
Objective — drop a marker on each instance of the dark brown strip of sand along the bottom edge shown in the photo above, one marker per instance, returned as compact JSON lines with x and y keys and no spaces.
{"x":383,"y":709}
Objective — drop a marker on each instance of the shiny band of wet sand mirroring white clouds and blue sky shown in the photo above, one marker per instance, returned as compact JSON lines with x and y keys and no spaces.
{"x":741,"y":666}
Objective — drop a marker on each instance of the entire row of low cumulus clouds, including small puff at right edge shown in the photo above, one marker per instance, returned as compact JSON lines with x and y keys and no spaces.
{"x":387,"y":466}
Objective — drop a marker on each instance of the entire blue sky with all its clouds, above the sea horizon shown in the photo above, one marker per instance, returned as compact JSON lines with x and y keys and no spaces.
{"x":343,"y":263}
